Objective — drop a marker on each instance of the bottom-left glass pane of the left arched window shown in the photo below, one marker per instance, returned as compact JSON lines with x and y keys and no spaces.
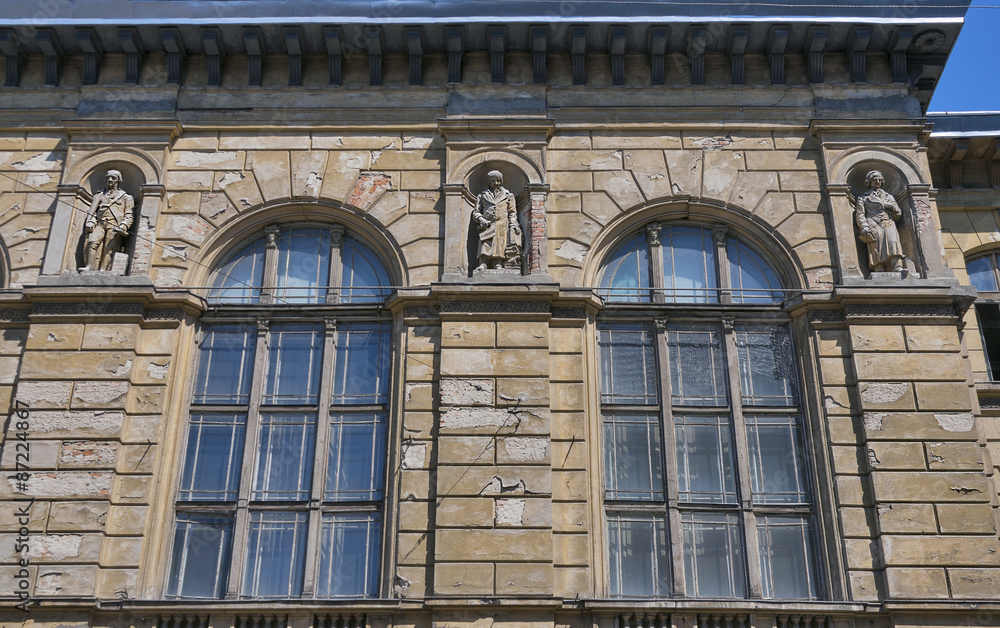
{"x":200,"y":562}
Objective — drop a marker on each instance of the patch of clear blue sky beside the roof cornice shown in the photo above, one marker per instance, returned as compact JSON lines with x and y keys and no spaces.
{"x":971,"y":80}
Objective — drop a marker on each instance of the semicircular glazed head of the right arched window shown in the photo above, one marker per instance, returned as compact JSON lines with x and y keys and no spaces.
{"x":682,"y":264}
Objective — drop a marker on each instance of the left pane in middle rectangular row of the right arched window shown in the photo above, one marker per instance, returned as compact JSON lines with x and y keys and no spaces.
{"x":632,"y":457}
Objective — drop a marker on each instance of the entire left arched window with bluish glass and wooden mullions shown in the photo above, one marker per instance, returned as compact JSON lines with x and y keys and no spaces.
{"x":282,"y":482}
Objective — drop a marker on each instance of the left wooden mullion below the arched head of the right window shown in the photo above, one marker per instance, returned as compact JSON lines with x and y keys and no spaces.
{"x":670,"y":452}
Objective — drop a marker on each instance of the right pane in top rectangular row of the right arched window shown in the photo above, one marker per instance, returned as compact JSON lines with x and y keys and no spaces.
{"x":767,"y":366}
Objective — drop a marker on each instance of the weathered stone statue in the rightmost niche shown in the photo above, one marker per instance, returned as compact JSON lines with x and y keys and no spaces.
{"x":876,"y":213}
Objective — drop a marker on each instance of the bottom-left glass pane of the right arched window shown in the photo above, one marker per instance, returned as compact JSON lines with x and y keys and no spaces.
{"x":638,"y":554}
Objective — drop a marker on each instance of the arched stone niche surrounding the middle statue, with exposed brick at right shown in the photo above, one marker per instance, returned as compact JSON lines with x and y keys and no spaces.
{"x":524,"y":178}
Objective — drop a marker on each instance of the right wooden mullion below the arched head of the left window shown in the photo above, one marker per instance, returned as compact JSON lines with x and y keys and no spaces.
{"x":322,"y":458}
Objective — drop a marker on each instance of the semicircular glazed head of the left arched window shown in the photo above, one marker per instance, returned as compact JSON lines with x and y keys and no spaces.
{"x":301,"y":264}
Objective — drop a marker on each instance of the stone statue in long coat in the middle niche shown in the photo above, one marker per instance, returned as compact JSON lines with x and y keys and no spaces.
{"x":495,"y":218}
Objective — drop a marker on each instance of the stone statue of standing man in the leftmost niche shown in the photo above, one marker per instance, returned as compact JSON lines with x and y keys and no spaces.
{"x":108,"y":223}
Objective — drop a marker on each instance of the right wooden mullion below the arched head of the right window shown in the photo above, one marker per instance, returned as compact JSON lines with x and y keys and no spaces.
{"x":742,"y":462}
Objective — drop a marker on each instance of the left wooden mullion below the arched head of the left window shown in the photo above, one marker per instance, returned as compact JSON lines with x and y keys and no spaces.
{"x":249,"y":462}
